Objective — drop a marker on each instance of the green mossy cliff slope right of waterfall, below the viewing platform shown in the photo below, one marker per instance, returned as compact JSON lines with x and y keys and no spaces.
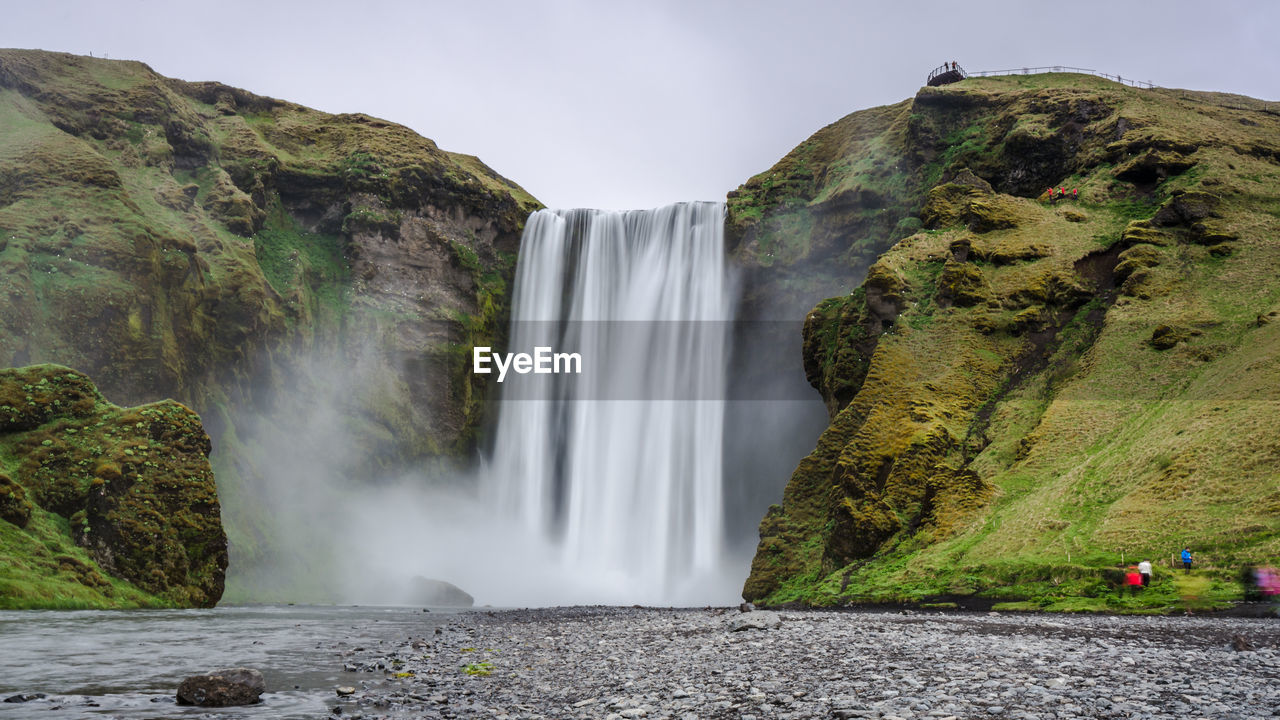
{"x":1026,"y":391}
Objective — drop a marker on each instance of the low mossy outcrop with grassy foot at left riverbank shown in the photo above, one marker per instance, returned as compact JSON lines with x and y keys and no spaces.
{"x":104,"y":507}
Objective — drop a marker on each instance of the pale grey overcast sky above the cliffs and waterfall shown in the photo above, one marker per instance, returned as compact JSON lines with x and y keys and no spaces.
{"x":612,"y":104}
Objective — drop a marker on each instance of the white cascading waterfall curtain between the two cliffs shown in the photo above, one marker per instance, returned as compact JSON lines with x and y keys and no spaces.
{"x":620,"y":468}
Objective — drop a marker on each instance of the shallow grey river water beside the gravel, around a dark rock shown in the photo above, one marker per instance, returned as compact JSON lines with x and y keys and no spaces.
{"x":129,"y":664}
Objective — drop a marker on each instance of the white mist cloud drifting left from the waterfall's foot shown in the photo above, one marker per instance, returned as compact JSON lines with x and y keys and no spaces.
{"x":310,"y":523}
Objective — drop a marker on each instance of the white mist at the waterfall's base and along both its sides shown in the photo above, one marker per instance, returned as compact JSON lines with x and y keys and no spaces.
{"x":323,"y":504}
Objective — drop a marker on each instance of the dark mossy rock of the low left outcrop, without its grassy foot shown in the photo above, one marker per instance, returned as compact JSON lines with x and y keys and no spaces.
{"x":135,"y":486}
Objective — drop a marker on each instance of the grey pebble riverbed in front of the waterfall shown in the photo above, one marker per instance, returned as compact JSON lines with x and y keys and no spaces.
{"x":693,"y":664}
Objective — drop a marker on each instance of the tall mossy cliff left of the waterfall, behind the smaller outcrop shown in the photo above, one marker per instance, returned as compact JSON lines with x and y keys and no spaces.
{"x":200,"y":243}
